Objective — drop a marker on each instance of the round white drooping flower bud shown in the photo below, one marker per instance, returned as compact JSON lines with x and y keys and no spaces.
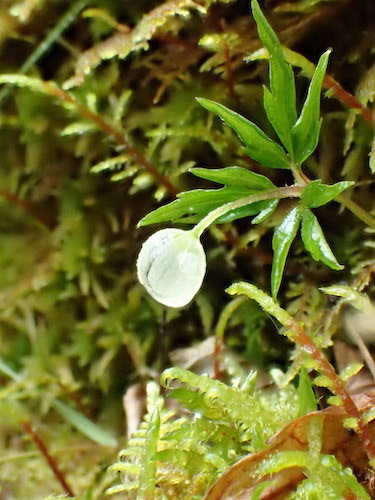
{"x":171,"y":266}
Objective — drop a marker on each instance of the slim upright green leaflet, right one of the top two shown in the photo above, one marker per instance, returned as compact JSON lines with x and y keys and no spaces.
{"x":305,"y":132}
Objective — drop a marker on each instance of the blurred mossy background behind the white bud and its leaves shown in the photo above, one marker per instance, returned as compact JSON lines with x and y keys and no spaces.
{"x":86,"y":157}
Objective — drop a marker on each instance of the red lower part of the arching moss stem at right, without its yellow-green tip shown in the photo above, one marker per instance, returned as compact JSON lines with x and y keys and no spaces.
{"x":300,"y":337}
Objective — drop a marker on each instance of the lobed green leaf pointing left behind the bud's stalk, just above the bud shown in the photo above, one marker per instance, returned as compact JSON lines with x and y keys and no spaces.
{"x":192,"y":206}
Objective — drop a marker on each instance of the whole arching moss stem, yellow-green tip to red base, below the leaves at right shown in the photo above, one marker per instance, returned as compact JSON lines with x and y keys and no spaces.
{"x":297,"y":334}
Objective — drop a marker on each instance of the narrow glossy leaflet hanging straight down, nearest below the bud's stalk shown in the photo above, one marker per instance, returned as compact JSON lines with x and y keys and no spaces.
{"x":282,"y":239}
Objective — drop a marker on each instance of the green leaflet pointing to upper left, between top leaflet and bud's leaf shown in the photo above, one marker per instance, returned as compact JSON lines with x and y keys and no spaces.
{"x":258,"y":145}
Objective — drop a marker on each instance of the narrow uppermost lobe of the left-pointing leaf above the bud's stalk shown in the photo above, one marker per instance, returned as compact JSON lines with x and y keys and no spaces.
{"x":234,"y":176}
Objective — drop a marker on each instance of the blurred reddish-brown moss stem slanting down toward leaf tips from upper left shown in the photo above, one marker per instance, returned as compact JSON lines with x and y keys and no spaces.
{"x":116,"y":134}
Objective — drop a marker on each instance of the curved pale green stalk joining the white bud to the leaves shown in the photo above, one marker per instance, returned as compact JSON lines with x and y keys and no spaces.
{"x":279,"y":193}
